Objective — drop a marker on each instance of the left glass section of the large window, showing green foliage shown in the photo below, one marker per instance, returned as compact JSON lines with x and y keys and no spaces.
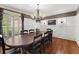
{"x":6,"y":26}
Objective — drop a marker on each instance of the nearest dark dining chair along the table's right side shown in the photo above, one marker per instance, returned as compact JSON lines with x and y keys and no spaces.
{"x":35,"y":47}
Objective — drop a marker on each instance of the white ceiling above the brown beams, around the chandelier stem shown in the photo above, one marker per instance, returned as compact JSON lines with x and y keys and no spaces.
{"x":45,"y":9}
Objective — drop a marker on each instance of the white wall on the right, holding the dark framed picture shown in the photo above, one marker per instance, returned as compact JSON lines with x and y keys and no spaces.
{"x":63,"y":30}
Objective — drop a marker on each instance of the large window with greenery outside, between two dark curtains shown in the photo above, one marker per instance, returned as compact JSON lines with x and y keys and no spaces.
{"x":11,"y":24}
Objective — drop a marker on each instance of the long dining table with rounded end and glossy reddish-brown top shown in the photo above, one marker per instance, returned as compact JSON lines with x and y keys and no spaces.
{"x":20,"y":41}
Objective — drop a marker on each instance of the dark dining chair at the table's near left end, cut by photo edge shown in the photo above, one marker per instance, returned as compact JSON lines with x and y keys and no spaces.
{"x":6,"y":49}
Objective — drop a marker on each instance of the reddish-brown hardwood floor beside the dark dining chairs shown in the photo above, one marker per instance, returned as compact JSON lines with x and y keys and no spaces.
{"x":61,"y":46}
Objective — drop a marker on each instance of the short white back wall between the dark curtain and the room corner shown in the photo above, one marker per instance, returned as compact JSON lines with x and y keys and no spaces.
{"x":30,"y":24}
